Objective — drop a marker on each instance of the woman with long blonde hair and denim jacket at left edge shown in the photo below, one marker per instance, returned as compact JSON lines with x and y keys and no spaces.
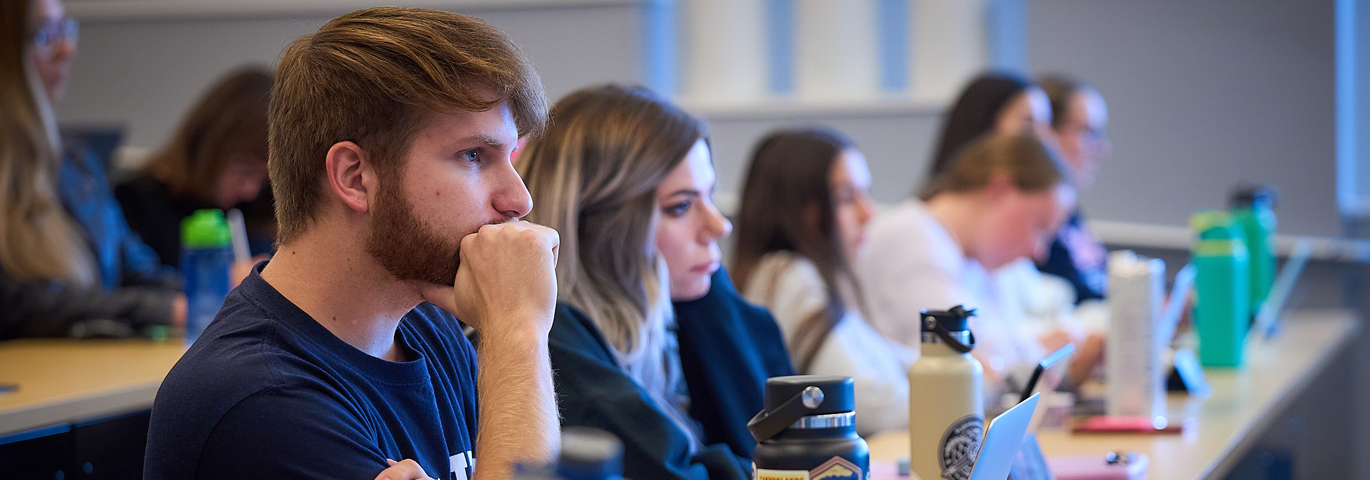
{"x":69,"y":264}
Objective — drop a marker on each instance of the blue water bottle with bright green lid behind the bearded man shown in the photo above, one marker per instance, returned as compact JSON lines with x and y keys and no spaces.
{"x":206,"y":257}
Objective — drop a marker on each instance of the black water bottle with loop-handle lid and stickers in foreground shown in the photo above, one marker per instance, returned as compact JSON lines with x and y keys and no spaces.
{"x":809,"y":431}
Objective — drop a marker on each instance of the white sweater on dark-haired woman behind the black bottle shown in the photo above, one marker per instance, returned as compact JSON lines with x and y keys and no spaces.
{"x":791,"y":287}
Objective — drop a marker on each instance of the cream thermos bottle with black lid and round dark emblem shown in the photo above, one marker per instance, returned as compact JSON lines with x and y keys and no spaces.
{"x":946,"y":398}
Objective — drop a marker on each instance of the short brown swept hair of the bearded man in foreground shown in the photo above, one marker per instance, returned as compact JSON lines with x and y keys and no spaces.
{"x":371,"y":77}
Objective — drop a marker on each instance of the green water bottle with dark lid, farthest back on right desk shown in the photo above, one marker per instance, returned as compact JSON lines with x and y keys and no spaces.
{"x":1253,"y":209}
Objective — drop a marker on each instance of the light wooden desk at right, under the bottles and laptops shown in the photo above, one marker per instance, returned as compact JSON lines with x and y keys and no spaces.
{"x":1242,"y":407}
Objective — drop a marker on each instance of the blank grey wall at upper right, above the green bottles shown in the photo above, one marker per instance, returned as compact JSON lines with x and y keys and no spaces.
{"x":1204,"y":95}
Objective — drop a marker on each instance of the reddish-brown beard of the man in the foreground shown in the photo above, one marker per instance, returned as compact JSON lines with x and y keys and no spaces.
{"x":406,"y":246}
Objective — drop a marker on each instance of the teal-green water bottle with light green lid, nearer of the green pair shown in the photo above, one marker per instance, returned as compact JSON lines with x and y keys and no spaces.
{"x":1223,"y":285}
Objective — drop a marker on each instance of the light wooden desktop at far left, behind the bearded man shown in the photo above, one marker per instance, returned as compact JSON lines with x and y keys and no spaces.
{"x":64,"y":381}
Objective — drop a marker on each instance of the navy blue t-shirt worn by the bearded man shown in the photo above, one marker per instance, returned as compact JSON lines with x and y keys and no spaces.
{"x":268,"y":393}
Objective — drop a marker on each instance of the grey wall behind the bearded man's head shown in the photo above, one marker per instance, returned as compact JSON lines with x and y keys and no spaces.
{"x":146,"y":75}
